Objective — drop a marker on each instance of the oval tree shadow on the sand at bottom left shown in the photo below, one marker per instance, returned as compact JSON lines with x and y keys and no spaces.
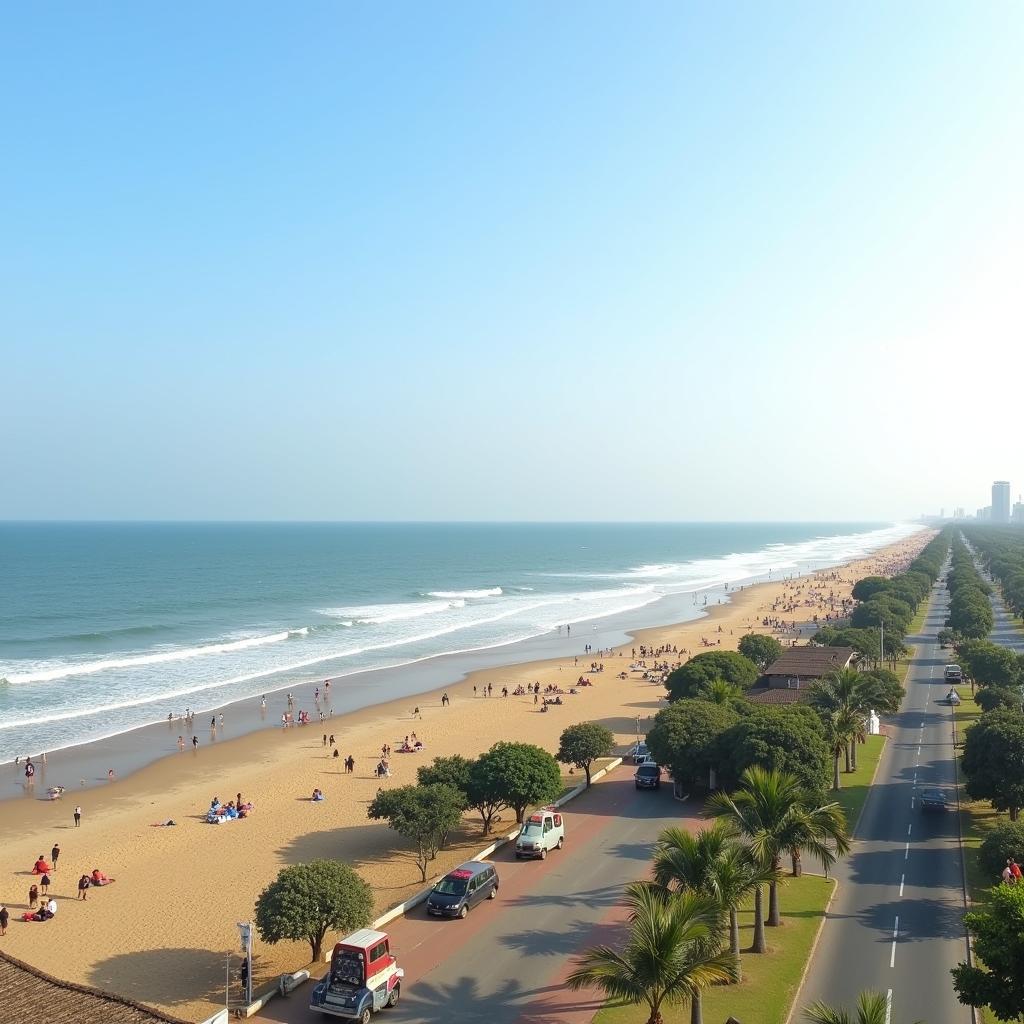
{"x":166,"y":977}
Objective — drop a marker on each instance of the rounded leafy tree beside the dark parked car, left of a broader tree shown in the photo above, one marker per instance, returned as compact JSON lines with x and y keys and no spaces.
{"x":687,"y":738}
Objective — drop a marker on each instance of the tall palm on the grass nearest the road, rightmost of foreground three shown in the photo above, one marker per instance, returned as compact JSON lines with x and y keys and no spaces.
{"x":777,"y":816}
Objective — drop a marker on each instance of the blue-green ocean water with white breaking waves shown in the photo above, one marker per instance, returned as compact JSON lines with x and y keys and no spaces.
{"x":106,"y":627}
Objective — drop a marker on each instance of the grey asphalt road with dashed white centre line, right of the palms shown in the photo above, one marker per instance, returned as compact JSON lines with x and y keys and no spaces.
{"x":897,"y":924}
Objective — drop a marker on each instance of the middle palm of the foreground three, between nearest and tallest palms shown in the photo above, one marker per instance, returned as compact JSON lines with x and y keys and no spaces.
{"x":714,"y":864}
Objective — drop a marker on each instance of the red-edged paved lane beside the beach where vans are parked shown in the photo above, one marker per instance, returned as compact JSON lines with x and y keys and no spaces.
{"x":506,"y":963}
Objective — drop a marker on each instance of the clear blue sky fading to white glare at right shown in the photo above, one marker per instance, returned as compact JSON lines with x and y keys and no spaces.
{"x":537,"y":262}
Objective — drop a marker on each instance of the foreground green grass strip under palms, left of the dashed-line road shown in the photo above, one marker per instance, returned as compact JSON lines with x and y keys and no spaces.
{"x":771,"y":980}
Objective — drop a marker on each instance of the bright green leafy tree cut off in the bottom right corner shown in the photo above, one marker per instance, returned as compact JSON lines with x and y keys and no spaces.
{"x":999,"y":944}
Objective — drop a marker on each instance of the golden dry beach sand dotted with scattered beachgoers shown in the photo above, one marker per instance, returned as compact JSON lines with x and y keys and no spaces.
{"x":160,"y":933}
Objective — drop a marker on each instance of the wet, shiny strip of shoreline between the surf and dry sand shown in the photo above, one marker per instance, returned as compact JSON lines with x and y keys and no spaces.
{"x":84,"y":767}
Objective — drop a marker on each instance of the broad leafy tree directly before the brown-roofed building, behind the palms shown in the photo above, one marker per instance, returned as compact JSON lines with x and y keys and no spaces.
{"x":789,"y":739}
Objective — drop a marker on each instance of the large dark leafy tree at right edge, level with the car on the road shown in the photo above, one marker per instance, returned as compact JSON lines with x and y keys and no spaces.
{"x":994,"y":760}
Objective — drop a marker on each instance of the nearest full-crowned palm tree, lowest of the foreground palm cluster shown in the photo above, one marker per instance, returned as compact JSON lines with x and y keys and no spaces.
{"x":670,"y":956}
